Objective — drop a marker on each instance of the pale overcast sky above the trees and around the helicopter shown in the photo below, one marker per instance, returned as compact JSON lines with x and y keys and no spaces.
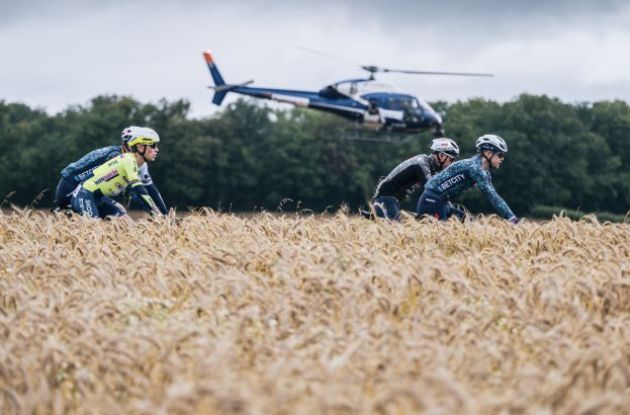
{"x":65,"y":52}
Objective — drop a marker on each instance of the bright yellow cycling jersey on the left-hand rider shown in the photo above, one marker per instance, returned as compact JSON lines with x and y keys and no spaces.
{"x":112,"y":177}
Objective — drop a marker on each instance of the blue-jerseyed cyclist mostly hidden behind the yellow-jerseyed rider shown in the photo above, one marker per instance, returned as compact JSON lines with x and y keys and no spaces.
{"x":74,"y":173}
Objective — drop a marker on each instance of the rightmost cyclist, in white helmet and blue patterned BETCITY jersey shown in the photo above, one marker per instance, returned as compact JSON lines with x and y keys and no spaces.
{"x":463,"y":175}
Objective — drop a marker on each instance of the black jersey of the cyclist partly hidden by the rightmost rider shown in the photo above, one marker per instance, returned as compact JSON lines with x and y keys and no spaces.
{"x":407,"y":177}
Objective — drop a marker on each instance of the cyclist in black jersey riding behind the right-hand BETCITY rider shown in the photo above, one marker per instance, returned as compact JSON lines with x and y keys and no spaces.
{"x":410,"y":175}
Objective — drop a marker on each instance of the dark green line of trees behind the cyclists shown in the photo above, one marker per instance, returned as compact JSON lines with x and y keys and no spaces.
{"x":251,"y":157}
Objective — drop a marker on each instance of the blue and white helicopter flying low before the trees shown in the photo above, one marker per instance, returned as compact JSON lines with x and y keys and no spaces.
{"x":371,"y":104}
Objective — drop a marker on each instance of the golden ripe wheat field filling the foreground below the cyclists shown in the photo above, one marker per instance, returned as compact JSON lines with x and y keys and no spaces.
{"x":327,"y":315}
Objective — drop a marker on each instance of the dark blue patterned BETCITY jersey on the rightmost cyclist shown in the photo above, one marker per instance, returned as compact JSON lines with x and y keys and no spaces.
{"x":463,"y":175}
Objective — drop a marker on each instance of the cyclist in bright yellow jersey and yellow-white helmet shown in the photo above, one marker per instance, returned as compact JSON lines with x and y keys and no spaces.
{"x":93,"y":197}
